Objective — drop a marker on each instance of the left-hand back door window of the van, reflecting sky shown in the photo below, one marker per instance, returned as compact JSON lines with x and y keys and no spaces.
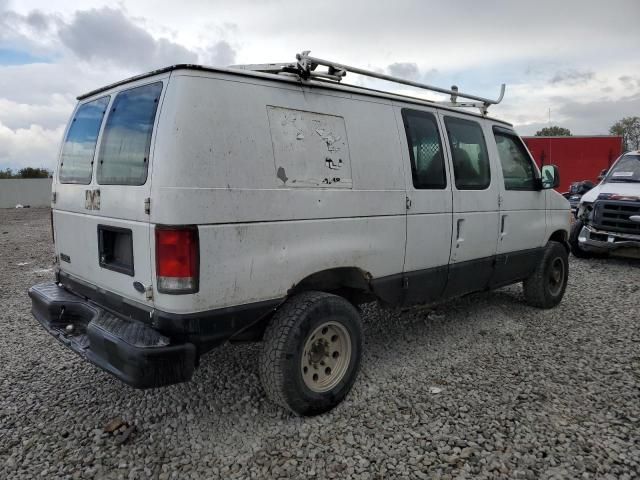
{"x":76,"y":162}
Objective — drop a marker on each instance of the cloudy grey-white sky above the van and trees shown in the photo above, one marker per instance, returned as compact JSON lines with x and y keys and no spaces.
{"x":573,"y":62}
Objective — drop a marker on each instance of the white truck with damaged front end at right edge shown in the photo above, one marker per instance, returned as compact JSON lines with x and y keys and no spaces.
{"x":608,"y":219}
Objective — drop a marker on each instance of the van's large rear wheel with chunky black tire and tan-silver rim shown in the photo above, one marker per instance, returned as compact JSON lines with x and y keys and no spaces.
{"x":311,"y":353}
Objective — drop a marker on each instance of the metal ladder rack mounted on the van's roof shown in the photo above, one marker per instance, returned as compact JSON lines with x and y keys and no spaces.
{"x":305,"y":68}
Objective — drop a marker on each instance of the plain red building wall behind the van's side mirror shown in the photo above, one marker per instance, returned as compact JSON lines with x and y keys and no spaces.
{"x":578,"y":157}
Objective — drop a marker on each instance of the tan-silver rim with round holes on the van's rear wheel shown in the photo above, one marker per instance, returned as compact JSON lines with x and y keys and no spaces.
{"x":326,"y":357}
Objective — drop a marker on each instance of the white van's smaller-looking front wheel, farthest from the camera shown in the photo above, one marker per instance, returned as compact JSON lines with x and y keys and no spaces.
{"x":547,"y":284}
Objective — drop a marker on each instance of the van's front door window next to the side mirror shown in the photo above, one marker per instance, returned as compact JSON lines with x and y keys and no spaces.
{"x":517,"y":167}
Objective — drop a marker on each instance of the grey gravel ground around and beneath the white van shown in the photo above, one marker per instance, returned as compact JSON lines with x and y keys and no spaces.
{"x":481,"y":387}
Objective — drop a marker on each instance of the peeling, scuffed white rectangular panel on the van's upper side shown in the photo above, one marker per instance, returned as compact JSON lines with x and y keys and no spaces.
{"x":309,"y":149}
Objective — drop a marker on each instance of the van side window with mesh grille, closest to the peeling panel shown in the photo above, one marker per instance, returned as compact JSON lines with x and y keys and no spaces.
{"x":425,"y":149}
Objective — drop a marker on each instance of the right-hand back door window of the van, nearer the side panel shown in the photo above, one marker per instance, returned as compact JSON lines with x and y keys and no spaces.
{"x":124,"y":149}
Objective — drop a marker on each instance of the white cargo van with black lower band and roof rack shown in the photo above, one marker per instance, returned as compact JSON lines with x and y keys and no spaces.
{"x":194,"y":206}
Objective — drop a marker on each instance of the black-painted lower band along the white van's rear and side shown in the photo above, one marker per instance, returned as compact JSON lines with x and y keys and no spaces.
{"x":244,"y":322}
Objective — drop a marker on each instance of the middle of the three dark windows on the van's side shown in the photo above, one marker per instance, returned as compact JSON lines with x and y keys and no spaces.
{"x":469,"y":154}
